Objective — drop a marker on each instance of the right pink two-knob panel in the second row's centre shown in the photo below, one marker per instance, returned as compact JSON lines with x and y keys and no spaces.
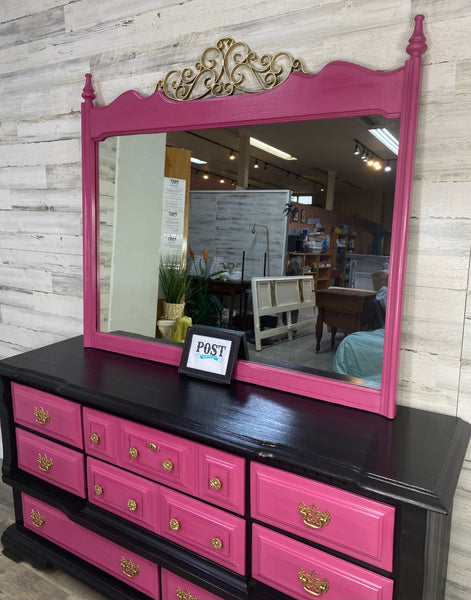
{"x":209,"y":531}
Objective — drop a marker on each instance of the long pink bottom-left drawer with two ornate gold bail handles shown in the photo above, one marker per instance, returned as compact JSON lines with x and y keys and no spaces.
{"x":129,"y":567}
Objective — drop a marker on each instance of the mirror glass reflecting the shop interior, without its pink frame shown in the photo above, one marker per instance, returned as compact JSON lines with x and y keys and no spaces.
{"x":321,"y":216}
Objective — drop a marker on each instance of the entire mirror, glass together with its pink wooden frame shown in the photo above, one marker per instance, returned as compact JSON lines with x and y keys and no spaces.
{"x":350,"y":221}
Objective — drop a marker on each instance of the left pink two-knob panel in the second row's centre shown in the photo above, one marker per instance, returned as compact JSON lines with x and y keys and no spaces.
{"x":125,"y":494}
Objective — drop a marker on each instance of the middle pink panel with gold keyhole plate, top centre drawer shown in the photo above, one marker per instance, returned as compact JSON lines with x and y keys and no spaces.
{"x":160,"y":456}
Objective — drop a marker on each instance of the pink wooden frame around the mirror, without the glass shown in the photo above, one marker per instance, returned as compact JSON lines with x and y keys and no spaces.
{"x":340,"y":89}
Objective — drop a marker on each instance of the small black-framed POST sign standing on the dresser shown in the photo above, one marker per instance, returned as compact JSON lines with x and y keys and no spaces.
{"x":211,"y":353}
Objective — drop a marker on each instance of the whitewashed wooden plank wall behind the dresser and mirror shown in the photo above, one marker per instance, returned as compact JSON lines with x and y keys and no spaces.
{"x":47,"y":45}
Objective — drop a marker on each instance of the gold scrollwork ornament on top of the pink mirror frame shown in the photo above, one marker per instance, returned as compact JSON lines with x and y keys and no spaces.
{"x":227,"y":68}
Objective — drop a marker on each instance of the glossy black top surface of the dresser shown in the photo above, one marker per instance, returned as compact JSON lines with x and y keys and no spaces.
{"x":415,"y":457}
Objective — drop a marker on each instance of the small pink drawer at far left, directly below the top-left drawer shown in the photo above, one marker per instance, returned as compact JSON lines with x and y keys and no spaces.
{"x":50,"y":461}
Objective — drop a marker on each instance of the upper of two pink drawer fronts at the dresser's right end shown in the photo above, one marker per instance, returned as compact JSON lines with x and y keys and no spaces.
{"x":341,"y":520}
